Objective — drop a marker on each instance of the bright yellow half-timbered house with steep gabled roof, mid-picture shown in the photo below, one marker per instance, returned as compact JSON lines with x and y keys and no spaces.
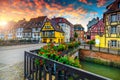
{"x":51,"y":32}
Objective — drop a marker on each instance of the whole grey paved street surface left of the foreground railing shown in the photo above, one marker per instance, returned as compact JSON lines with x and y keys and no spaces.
{"x":12,"y":59}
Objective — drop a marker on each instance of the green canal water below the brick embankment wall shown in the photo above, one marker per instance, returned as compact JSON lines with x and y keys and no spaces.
{"x":110,"y":72}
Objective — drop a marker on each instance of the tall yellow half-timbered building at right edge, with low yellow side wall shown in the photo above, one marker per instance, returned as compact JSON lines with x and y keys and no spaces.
{"x":111,"y":38}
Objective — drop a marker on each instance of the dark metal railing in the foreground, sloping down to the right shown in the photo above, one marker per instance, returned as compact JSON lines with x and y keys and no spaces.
{"x":53,"y":70}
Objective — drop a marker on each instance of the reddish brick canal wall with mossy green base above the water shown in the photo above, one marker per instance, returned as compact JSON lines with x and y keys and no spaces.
{"x":100,"y":58}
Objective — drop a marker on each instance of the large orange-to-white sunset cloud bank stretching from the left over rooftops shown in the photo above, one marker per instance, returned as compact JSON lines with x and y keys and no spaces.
{"x":19,"y":9}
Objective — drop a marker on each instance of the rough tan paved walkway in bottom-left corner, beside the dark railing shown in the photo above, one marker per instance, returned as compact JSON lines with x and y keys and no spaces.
{"x":14,"y":72}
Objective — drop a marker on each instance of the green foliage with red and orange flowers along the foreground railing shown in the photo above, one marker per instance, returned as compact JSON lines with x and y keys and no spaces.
{"x":54,"y":52}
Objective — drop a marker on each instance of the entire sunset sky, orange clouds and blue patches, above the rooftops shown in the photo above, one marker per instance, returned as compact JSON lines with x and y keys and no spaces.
{"x":75,"y":11}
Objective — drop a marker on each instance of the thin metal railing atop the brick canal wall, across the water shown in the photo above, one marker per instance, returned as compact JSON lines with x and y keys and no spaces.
{"x":100,"y":49}
